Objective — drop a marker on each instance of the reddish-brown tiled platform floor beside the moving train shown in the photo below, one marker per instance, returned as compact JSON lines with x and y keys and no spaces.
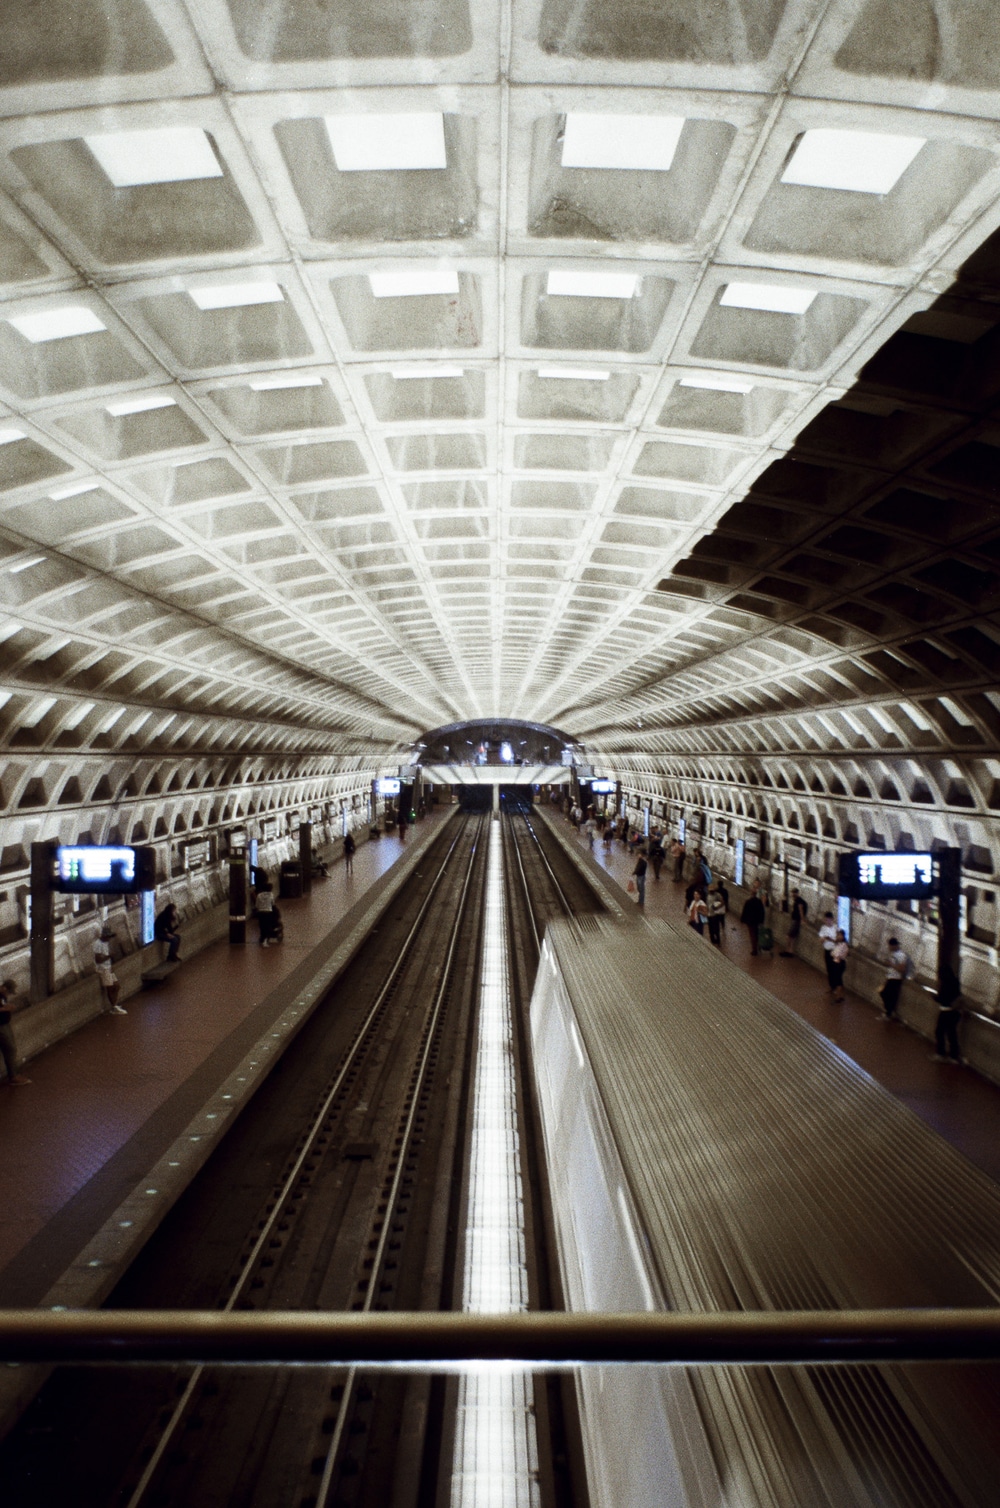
{"x":956,"y":1102}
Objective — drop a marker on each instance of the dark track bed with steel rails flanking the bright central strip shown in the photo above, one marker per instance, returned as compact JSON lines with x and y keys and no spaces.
{"x":354,"y":1157}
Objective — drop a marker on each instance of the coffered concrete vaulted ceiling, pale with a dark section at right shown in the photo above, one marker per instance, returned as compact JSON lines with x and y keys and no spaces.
{"x":369,"y":367}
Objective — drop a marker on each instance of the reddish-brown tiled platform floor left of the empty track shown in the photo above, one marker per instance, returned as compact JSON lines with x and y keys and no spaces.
{"x":106,"y":1103}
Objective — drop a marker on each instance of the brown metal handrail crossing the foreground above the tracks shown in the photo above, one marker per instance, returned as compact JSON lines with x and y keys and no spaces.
{"x":539,"y":1340}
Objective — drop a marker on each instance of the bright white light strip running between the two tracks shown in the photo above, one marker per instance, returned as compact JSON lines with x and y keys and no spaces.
{"x":495,"y":1462}
